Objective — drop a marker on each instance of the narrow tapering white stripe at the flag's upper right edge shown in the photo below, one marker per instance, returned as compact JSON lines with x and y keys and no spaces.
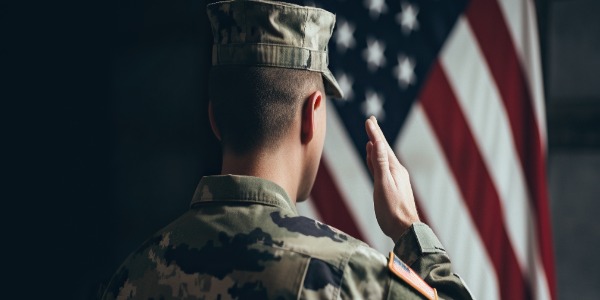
{"x":520,"y":17}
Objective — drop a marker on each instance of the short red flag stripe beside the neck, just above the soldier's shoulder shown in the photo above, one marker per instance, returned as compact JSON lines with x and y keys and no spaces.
{"x":330,"y":204}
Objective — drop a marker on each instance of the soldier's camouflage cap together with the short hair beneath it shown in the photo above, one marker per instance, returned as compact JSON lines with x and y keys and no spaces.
{"x":267,"y":58}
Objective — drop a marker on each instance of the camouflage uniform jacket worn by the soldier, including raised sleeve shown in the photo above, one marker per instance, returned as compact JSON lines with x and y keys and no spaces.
{"x":243,"y":239}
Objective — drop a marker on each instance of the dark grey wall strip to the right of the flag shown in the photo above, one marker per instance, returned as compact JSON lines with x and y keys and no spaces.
{"x":571,"y":43}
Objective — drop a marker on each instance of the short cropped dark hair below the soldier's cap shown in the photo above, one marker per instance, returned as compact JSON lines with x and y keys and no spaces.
{"x":255,"y":107}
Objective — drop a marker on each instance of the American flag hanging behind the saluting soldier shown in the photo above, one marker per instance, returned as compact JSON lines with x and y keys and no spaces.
{"x":457,"y":88}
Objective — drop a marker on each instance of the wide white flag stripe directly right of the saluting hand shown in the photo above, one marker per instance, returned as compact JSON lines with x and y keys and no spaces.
{"x":440,"y":199}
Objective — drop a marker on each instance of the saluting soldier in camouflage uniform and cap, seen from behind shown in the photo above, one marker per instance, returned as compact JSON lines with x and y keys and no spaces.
{"x":242,"y":237}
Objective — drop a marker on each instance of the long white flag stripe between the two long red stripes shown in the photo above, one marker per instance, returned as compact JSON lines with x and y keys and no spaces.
{"x":483,"y":108}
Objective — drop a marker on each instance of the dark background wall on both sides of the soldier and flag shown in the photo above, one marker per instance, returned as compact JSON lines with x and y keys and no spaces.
{"x":105,"y":135}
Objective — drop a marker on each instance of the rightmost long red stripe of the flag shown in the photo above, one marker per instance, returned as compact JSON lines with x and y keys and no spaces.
{"x":497,"y":46}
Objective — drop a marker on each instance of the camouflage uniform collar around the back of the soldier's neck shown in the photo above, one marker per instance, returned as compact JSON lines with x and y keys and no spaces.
{"x":235,"y":188}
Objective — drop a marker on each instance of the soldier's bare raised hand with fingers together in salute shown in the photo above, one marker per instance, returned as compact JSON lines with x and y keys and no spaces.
{"x":394,"y":202}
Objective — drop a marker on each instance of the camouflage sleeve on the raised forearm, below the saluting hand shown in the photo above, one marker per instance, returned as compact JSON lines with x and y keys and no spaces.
{"x":420,"y":249}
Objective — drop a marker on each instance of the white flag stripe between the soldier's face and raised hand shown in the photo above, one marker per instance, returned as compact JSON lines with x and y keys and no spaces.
{"x":353,"y":180}
